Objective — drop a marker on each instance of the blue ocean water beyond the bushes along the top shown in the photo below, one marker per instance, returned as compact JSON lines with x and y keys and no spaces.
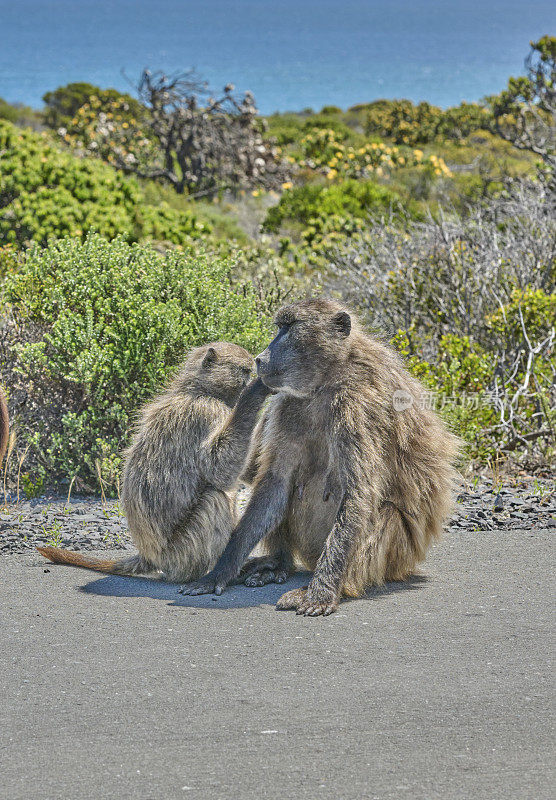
{"x":291,"y":53}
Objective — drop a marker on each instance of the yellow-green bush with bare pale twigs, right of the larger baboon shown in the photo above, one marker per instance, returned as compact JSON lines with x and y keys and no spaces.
{"x":463,"y":372}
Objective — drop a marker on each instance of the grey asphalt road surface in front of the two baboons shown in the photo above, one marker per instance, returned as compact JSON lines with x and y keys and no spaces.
{"x":440,"y":688}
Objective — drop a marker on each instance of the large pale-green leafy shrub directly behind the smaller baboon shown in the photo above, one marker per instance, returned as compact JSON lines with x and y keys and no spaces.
{"x":102,"y":325}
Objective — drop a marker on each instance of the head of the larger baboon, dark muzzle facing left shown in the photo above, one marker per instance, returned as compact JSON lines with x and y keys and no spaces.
{"x":308,"y":344}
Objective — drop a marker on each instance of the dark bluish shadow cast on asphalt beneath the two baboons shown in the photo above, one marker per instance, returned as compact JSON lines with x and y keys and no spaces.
{"x":236,"y":596}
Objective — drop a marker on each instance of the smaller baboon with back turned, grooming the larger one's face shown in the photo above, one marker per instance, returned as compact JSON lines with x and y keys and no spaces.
{"x":182,"y":468}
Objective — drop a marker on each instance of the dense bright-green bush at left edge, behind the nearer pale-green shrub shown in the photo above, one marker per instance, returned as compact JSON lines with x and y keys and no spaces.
{"x":46,"y":192}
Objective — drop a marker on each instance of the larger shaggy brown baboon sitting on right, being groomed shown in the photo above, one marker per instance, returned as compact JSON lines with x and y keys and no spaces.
{"x":353,"y":473}
